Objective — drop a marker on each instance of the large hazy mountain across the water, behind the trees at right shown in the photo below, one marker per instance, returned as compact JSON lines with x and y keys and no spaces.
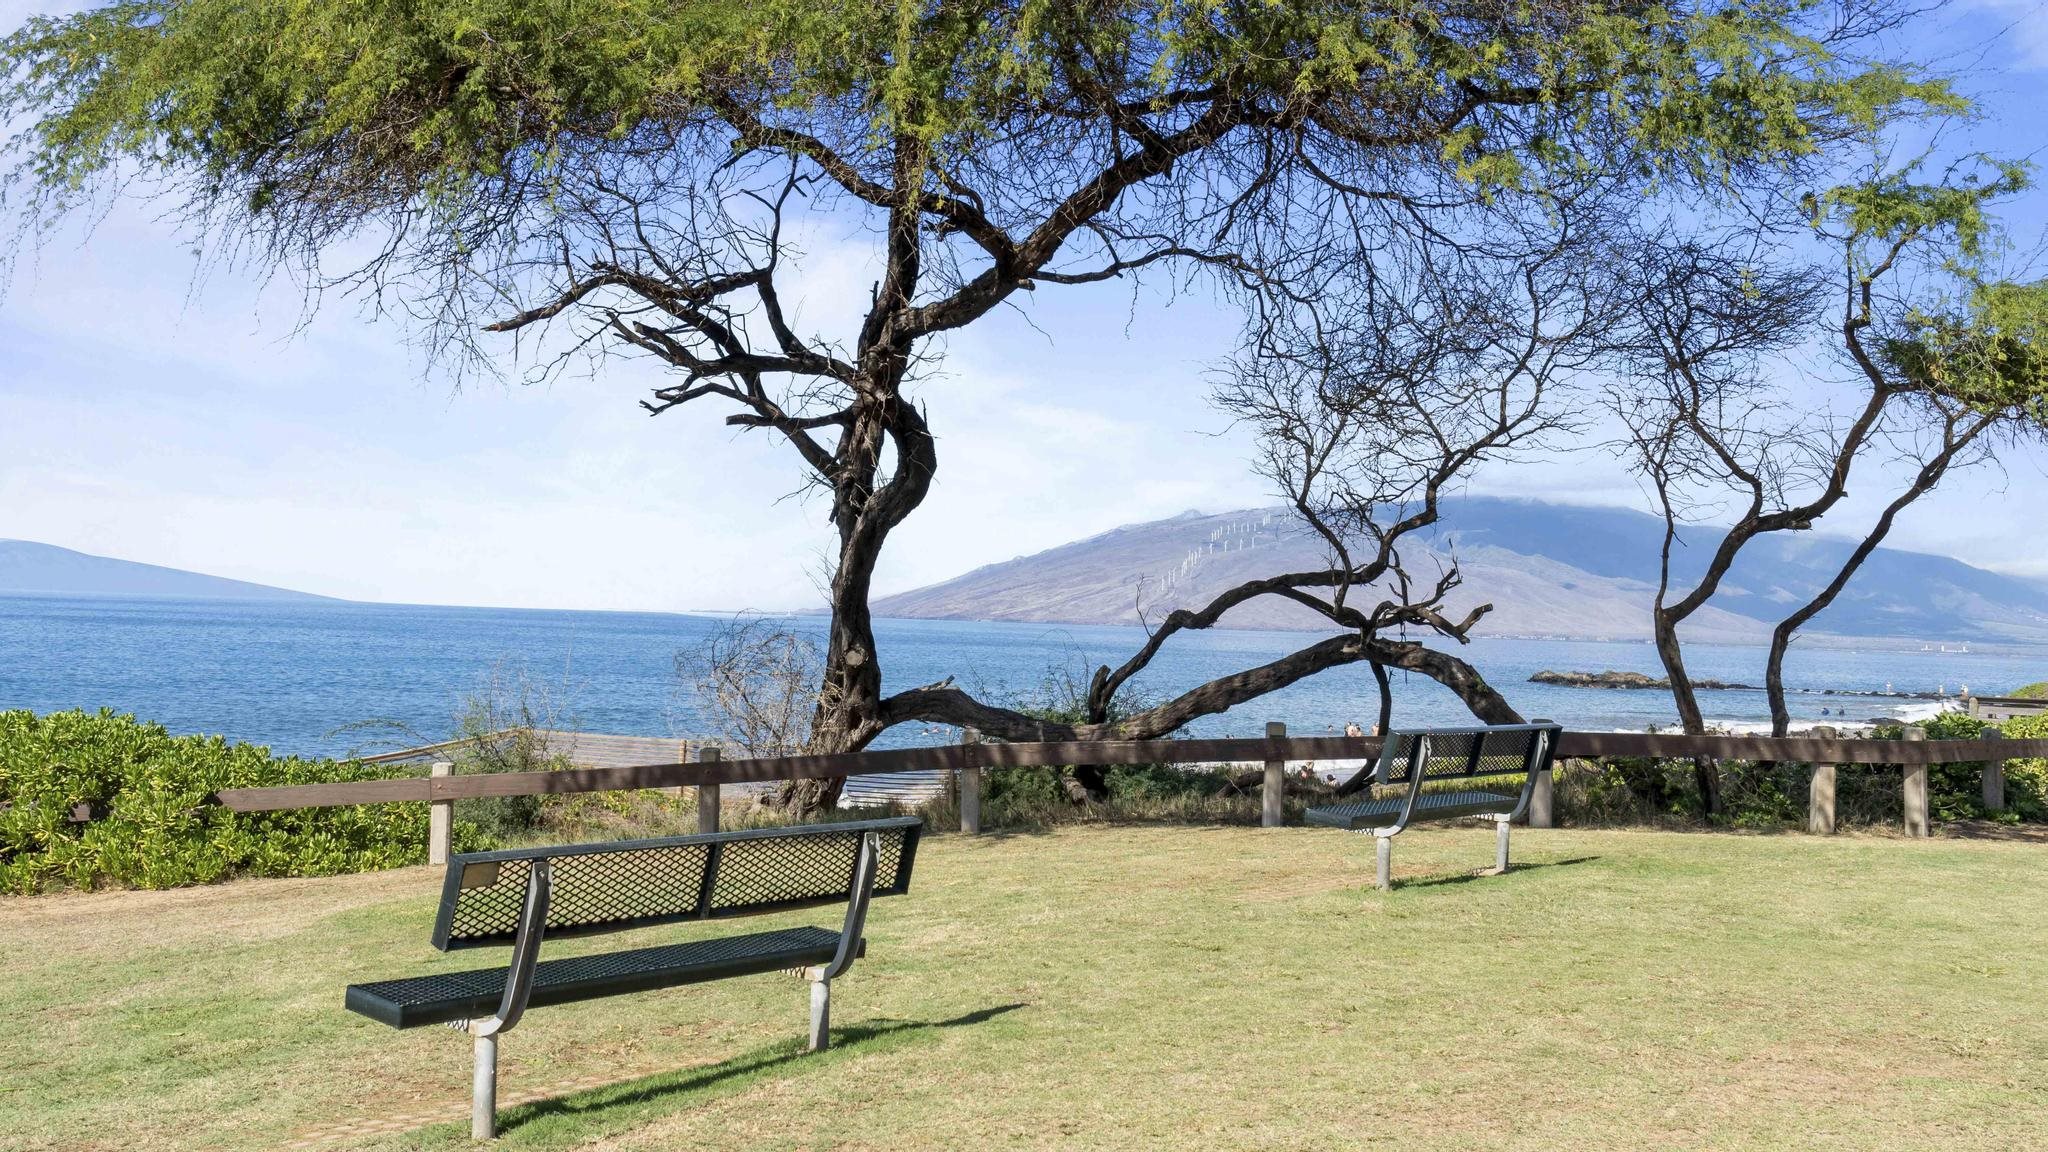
{"x":1545,"y":569}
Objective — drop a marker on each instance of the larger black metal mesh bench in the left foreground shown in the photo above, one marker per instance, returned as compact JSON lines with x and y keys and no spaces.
{"x":517,"y":897}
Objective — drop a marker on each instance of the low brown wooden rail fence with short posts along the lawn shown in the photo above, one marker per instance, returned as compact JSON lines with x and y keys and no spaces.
{"x":970,"y":759}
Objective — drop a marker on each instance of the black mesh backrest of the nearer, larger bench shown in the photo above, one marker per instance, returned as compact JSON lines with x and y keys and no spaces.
{"x":638,"y":884}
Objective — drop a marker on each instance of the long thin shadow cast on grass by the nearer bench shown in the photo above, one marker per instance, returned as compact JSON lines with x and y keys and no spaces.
{"x":636,"y":1098}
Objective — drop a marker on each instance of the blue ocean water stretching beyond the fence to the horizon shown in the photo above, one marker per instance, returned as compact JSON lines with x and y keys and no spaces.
{"x":343,"y":677}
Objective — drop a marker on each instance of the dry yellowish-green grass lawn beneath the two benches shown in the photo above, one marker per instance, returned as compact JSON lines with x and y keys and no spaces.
{"x":1115,"y":987}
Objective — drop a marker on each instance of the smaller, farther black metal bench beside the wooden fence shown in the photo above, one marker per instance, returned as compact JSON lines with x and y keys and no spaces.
{"x":1428,"y":770}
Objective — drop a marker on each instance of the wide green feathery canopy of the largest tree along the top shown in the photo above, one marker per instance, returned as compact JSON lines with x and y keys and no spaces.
{"x":318,"y":116}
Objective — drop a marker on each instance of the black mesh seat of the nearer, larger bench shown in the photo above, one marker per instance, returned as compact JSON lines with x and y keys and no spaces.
{"x":474,"y":995}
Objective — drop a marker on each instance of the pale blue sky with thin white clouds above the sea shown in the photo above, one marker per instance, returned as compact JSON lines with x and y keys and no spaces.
{"x":163,"y":415}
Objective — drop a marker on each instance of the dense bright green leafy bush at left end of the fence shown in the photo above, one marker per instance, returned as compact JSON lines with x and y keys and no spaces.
{"x":153,"y":827}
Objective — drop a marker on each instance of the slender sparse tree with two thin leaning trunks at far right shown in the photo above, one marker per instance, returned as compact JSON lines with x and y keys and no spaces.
{"x":1940,"y":364}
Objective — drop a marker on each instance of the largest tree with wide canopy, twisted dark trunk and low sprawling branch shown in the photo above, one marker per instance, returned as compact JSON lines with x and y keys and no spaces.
{"x":628,"y":179}
